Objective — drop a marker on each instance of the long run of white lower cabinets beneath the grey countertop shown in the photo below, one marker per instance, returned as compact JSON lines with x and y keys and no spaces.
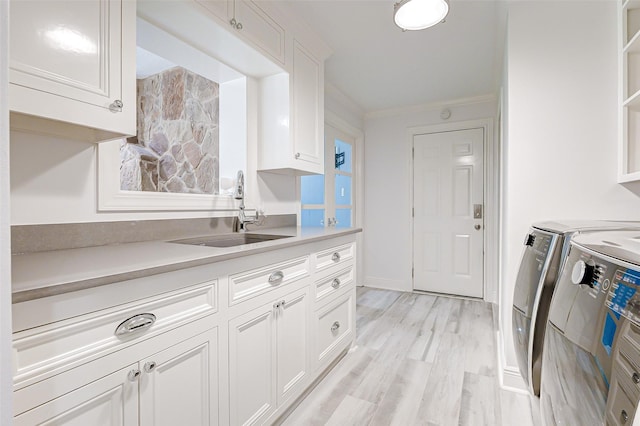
{"x":179,"y":357}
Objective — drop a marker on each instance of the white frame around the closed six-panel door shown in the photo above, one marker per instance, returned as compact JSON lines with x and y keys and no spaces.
{"x":491,"y":196}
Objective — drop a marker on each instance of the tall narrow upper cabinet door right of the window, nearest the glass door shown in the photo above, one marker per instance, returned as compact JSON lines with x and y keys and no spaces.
{"x":307,"y":111}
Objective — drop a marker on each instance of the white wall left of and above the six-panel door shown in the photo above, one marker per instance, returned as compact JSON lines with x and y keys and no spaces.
{"x":387,"y":180}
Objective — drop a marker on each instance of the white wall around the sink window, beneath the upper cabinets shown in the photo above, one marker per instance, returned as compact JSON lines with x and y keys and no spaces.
{"x":54,"y":180}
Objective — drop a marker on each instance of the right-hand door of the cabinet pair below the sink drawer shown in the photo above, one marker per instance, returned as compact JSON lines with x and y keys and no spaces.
{"x":292,"y":343}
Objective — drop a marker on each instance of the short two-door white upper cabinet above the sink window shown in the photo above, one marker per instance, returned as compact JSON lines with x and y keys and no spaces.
{"x":252,"y":24}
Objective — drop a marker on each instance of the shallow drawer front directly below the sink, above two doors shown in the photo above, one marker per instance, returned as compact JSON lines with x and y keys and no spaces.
{"x":262,"y":280}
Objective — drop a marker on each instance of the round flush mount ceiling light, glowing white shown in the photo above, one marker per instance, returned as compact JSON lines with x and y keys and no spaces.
{"x":419,"y":14}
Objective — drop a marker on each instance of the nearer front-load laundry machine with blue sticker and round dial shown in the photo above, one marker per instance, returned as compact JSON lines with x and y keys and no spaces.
{"x":591,"y":359}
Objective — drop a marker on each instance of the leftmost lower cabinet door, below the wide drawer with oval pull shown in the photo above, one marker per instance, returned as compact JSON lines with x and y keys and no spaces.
{"x":111,"y":400}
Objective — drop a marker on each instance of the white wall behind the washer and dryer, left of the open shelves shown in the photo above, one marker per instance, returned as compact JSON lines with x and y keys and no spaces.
{"x":561,"y":127}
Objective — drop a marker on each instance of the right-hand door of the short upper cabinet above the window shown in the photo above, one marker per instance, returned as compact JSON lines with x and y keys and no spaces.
{"x":260,"y":29}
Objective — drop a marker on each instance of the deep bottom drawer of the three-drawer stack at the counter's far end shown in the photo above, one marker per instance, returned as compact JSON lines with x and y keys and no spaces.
{"x":334,"y":325}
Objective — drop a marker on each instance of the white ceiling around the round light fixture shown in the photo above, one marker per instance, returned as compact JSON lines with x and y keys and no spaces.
{"x":380,"y":67}
